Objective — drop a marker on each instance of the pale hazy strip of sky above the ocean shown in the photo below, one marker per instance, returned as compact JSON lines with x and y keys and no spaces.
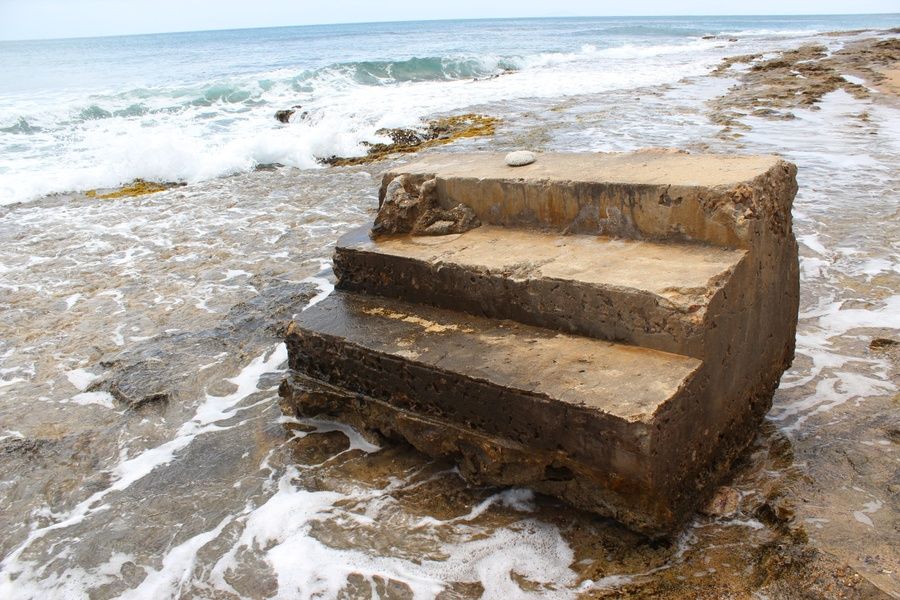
{"x":29,"y":19}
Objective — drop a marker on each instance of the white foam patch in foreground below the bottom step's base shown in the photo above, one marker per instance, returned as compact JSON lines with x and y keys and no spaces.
{"x":281,"y":528}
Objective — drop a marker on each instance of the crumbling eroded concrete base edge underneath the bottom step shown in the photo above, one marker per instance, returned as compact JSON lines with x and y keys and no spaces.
{"x":491,"y":460}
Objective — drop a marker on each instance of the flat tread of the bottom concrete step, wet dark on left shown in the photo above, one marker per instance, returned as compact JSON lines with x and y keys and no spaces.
{"x":624,"y":381}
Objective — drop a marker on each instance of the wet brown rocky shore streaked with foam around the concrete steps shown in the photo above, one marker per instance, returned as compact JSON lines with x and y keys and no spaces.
{"x":143,"y":451}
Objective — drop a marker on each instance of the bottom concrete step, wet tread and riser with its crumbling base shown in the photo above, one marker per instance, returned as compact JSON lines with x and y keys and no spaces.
{"x":607,"y":427}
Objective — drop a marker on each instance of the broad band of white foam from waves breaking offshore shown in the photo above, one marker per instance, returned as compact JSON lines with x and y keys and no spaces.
{"x":173,"y":141}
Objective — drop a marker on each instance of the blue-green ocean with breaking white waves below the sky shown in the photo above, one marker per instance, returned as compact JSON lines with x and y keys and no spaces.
{"x":80,"y":114}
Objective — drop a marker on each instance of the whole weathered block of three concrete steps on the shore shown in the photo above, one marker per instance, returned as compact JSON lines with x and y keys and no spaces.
{"x":610,"y":332}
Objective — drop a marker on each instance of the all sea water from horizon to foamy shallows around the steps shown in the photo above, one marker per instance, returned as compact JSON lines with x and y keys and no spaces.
{"x":143,"y":452}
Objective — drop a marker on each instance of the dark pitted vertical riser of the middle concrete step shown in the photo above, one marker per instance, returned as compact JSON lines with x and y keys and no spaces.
{"x":612,"y":314}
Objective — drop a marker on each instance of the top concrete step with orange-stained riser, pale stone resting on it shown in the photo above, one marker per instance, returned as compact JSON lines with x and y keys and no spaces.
{"x":721,"y":200}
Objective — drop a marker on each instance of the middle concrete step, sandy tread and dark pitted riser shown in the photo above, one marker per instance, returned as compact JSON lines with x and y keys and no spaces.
{"x":648,"y":294}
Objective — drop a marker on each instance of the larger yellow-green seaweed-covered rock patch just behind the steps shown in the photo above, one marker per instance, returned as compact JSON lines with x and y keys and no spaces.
{"x":436,"y":133}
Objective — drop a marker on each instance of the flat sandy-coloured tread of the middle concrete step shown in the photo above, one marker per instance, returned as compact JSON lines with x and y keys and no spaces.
{"x":683,"y":274}
